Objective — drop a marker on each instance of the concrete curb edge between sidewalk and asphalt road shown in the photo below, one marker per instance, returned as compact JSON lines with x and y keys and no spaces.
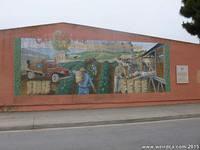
{"x":96,"y":123}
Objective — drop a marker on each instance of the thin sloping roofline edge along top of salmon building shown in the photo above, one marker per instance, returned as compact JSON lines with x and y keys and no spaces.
{"x":51,"y":24}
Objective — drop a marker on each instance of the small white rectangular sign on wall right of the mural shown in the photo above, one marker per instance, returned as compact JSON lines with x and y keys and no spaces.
{"x":182,"y":74}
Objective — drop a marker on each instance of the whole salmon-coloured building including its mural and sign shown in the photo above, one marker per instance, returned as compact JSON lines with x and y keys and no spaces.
{"x":68,"y":66}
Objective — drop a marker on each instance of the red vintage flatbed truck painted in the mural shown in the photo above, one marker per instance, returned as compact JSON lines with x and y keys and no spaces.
{"x":46,"y":69}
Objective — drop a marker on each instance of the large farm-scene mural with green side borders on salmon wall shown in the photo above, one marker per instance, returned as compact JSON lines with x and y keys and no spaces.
{"x":60,"y":66}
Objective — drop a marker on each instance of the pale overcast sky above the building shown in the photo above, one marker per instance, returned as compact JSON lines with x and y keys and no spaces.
{"x":159,"y":18}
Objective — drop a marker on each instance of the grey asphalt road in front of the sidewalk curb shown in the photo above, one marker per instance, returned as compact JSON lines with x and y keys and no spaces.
{"x":182,"y":134}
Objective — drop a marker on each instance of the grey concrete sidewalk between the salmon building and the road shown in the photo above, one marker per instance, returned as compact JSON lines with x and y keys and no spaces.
{"x":74,"y":118}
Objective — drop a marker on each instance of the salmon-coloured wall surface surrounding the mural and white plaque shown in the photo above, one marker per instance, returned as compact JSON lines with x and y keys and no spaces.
{"x":180,"y":53}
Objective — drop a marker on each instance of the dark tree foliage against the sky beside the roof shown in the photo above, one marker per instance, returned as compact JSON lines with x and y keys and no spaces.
{"x":191,"y":10}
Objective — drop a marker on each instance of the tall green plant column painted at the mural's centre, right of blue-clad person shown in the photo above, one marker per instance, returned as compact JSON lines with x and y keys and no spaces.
{"x":104,"y":82}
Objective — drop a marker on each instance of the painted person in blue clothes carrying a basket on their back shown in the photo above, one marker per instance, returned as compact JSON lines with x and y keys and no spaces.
{"x":85,"y":83}
